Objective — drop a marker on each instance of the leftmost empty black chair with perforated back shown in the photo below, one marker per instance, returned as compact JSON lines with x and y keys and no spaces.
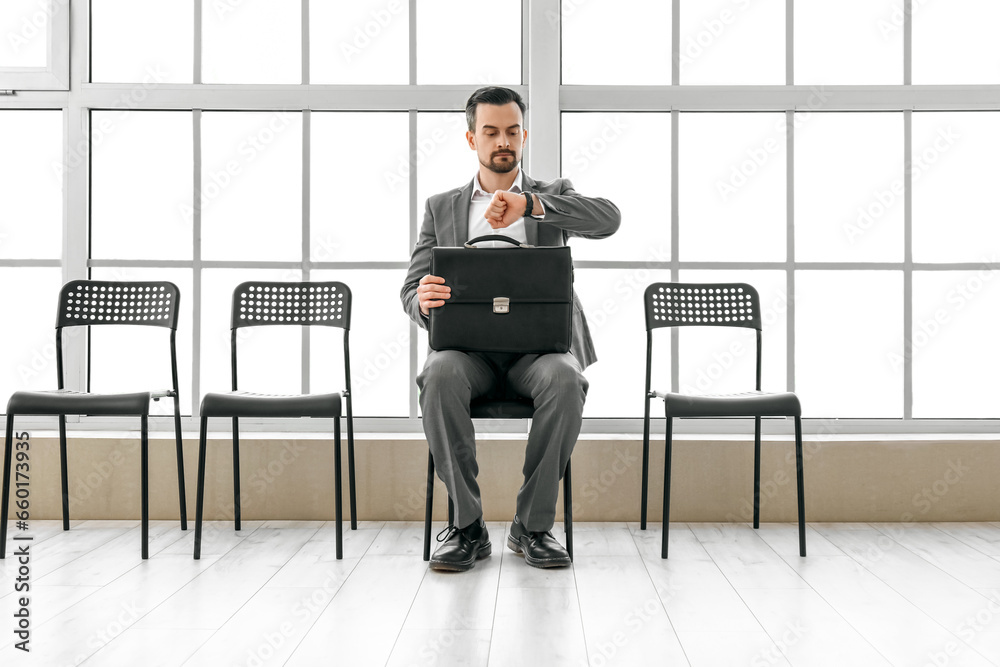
{"x":90,"y":303}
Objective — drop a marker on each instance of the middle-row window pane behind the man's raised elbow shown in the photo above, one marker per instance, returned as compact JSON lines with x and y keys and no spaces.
{"x":601,"y":153}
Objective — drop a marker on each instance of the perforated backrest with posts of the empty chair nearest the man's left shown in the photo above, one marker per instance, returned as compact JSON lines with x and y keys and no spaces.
{"x":328,"y":304}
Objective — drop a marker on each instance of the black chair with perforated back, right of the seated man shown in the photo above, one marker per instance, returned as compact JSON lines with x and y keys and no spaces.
{"x":719,"y":305}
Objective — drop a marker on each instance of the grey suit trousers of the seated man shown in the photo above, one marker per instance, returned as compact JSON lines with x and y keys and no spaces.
{"x":555,"y":382}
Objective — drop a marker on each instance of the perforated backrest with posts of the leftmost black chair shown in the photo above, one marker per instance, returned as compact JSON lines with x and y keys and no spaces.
{"x":99,"y":302}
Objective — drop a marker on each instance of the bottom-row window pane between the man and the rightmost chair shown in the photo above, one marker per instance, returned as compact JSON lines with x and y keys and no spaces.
{"x":612,"y":302}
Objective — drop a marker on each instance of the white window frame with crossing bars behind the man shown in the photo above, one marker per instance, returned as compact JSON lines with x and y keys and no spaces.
{"x":547,"y":99}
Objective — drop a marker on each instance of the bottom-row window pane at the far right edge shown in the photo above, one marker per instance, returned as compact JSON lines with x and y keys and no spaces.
{"x":955,"y":320}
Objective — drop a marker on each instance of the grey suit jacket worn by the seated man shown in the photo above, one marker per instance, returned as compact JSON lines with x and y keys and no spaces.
{"x":567,"y":214}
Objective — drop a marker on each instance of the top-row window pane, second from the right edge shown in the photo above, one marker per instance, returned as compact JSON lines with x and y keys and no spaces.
{"x":865,"y":35}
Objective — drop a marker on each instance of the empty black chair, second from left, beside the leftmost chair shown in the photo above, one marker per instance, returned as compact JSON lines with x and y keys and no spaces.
{"x":256,"y":304}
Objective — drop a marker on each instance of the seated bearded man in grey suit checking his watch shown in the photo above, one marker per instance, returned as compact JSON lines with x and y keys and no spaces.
{"x":502,"y":199}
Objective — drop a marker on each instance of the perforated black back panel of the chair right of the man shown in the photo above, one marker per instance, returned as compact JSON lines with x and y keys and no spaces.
{"x":702,"y":304}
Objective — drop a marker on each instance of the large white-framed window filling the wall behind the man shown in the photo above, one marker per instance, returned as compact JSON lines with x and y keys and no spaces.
{"x":300,"y":140}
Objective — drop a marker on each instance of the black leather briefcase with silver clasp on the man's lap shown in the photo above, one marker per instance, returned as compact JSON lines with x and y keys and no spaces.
{"x":503,"y":299}
